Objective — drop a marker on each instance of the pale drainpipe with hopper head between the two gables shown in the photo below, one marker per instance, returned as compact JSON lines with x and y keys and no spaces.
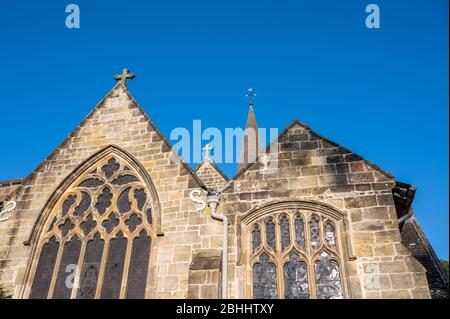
{"x":213,"y":202}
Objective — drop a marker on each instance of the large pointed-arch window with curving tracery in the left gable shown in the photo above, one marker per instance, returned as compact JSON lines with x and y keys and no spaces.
{"x":97,"y":240}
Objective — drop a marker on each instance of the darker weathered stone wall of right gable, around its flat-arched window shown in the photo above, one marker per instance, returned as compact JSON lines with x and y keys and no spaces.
{"x":310,"y":167}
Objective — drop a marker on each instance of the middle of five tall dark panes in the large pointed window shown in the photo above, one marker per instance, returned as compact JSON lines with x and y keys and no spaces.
{"x":91,"y":268}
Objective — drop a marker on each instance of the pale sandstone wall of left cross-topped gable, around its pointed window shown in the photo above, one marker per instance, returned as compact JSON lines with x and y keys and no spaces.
{"x":119,"y":121}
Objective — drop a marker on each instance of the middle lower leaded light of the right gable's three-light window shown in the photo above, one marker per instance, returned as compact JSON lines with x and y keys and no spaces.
{"x":295,"y":279}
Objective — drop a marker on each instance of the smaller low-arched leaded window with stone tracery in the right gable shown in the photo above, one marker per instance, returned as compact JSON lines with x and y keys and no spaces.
{"x":295,"y":254}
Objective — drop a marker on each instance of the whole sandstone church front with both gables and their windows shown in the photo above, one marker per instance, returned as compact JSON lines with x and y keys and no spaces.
{"x":114,"y":201}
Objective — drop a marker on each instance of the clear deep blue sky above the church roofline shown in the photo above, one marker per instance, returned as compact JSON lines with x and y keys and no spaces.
{"x":382,"y":93}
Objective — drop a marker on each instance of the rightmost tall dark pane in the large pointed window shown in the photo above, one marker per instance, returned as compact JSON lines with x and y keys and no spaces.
{"x":137,"y":274}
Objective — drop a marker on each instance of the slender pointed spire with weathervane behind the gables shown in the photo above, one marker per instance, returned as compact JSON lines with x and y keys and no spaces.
{"x":251,"y":145}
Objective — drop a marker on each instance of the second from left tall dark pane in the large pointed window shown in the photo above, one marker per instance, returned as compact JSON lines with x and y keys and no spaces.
{"x":67,"y":269}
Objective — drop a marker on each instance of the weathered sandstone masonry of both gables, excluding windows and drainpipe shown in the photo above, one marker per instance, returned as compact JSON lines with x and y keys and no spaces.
{"x":186,"y":256}
